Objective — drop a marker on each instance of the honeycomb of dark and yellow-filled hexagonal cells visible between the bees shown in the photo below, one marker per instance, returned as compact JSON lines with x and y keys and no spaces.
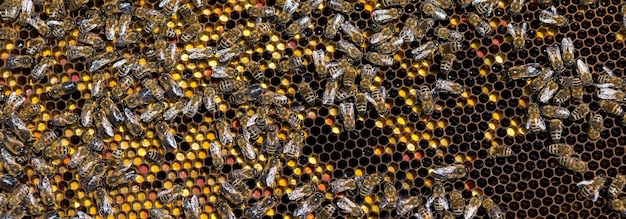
{"x":404,"y":145}
